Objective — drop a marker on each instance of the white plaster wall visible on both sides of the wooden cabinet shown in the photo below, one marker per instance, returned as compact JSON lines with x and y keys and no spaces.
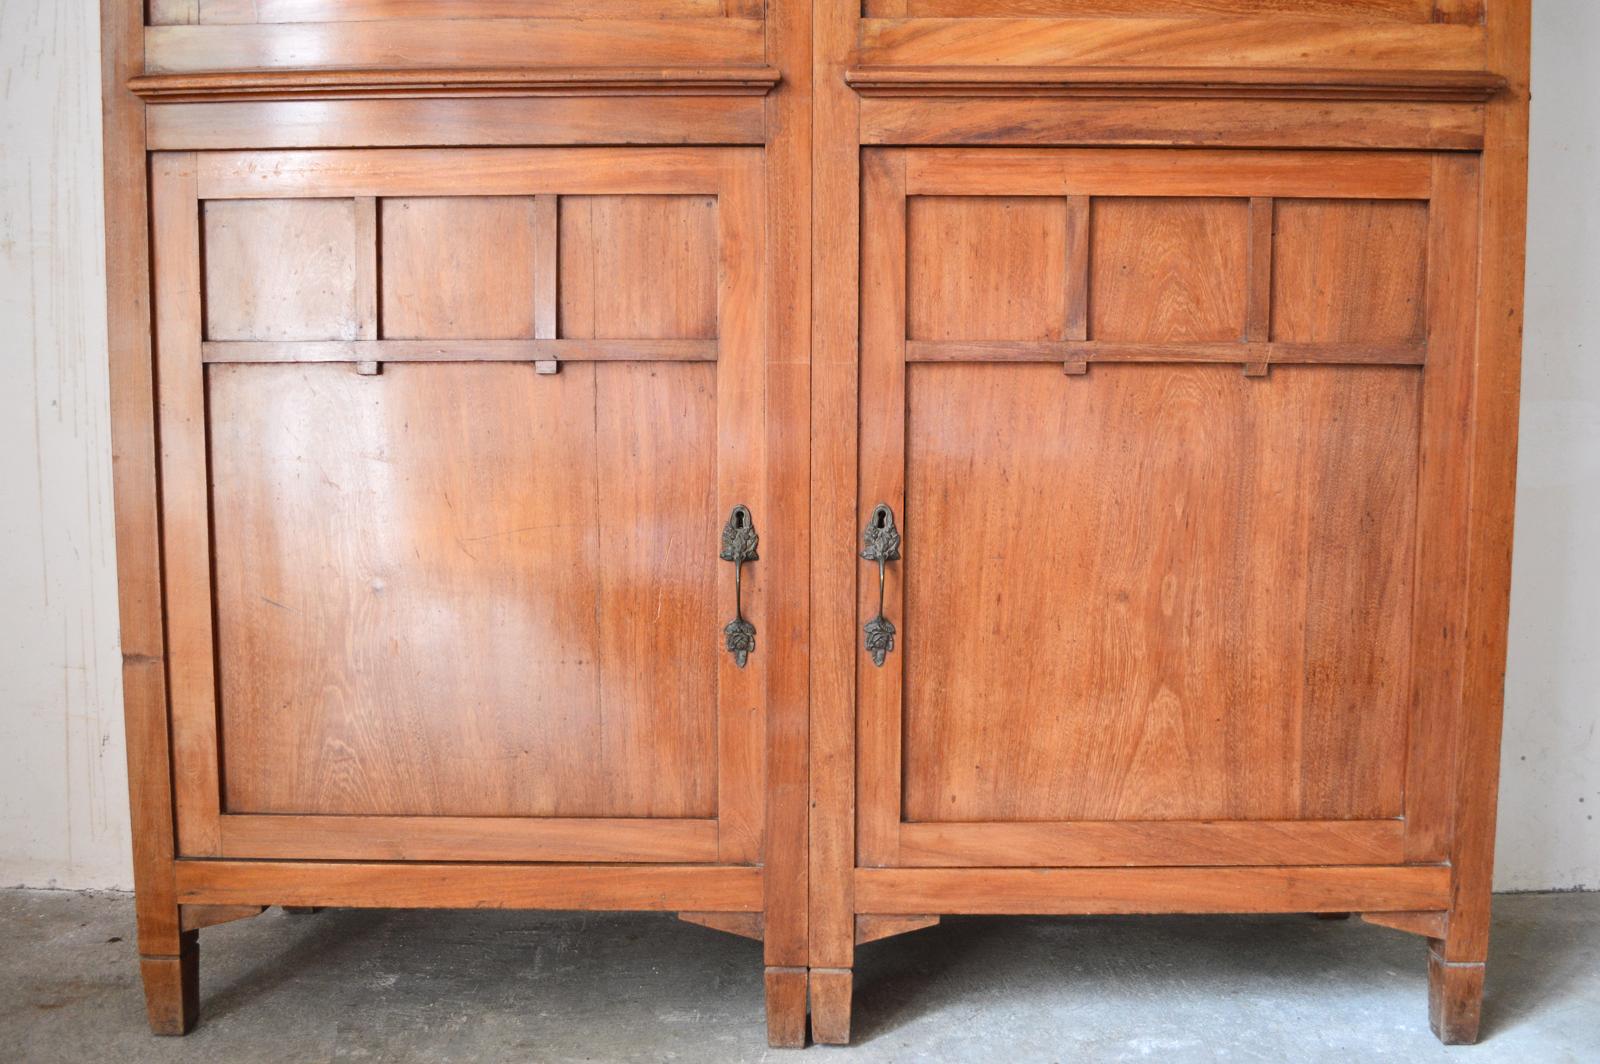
{"x":63,"y":791}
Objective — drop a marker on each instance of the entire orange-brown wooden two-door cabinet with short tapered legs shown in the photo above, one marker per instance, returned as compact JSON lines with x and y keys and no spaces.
{"x":849,"y":465}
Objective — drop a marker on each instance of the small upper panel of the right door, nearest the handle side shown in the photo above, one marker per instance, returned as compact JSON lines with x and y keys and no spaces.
{"x":986,"y":268}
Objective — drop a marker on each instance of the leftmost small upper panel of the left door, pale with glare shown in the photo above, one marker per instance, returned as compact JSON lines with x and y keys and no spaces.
{"x":281,"y":270}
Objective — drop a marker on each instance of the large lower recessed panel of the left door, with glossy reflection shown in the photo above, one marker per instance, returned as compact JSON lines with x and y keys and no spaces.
{"x":466,"y":590}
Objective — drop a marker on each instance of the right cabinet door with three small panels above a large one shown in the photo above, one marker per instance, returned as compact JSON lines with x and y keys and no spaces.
{"x":1170,"y":442}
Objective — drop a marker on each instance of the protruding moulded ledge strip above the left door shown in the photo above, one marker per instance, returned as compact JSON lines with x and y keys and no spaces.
{"x":234,"y":86}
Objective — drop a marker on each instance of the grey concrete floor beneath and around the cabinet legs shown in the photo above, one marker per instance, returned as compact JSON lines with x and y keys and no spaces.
{"x":497,"y":986}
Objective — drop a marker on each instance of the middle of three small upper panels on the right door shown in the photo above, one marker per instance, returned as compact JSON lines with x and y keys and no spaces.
{"x":1169,"y":270}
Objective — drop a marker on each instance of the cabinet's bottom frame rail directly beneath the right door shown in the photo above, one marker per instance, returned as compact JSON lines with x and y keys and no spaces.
{"x":1111,"y":892}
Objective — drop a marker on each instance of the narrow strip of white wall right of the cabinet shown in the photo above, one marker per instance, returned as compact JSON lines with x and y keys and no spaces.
{"x":1550,"y":831}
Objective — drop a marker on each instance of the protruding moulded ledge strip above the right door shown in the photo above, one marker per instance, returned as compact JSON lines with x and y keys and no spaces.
{"x":1178,"y":82}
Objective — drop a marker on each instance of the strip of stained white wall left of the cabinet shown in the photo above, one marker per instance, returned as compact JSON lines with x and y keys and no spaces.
{"x":63,"y":778}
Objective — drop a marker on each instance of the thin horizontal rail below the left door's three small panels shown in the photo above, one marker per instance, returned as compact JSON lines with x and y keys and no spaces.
{"x":217,"y":353}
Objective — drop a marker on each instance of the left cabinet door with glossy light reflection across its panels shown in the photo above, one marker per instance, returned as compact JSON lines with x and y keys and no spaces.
{"x":449,"y":446}
